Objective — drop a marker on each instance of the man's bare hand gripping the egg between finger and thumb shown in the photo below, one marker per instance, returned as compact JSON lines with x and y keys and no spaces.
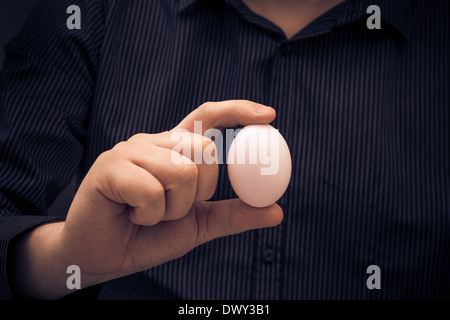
{"x":137,"y":208}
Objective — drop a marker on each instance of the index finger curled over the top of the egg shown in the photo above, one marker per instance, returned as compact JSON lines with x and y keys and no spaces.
{"x":229,"y":113}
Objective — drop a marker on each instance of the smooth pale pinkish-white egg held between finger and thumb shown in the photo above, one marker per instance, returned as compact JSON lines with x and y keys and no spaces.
{"x":259,"y":165}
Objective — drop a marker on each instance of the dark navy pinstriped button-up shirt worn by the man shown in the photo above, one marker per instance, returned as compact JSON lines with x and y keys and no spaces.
{"x":365,"y":113}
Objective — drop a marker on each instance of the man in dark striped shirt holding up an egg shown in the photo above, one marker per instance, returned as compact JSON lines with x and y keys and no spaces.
{"x":365,"y":113}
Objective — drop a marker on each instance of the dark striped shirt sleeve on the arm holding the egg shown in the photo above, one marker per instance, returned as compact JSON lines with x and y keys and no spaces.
{"x":46,"y":91}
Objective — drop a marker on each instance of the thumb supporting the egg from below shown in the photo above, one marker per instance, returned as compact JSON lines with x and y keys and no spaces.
{"x":227,"y":217}
